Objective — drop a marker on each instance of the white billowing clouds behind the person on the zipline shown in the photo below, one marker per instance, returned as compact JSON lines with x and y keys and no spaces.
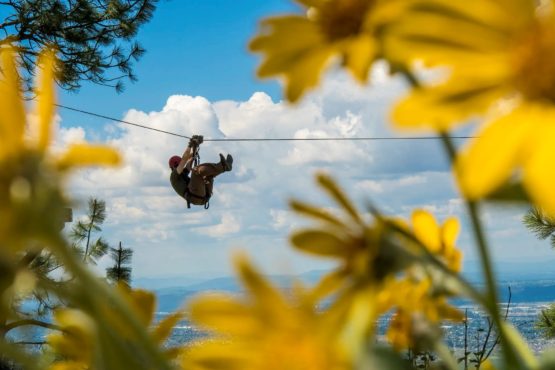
{"x":249,"y":204}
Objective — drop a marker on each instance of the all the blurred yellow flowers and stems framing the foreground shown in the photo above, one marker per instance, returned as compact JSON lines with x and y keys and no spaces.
{"x":383,"y":264}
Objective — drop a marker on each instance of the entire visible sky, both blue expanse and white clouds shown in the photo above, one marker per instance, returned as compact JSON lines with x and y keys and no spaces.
{"x":197,"y":77}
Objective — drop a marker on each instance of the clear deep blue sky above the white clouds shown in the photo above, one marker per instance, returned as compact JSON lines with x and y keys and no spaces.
{"x":194,"y":47}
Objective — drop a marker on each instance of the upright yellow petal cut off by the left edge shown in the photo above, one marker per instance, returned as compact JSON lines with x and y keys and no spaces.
{"x":12,"y":113}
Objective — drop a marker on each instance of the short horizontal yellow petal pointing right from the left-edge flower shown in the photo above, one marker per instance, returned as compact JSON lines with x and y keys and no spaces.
{"x":81,"y":155}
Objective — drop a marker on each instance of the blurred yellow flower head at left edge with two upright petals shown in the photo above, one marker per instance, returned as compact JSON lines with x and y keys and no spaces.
{"x":30,"y":175}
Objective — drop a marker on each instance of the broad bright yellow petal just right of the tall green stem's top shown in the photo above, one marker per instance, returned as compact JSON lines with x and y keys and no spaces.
{"x":491,"y":158}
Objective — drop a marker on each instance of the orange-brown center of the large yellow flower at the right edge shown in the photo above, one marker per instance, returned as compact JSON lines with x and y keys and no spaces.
{"x":535,"y":61}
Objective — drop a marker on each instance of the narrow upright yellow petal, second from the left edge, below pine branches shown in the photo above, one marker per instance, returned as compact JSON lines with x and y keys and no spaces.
{"x":45,"y":98}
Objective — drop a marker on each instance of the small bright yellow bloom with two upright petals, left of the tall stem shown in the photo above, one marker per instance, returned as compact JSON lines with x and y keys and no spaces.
{"x":439,"y":240}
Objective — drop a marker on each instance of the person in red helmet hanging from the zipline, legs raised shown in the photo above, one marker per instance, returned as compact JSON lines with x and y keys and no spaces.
{"x":196,"y":188}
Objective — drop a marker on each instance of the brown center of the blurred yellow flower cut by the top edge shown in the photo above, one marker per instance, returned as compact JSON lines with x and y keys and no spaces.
{"x":340,"y":19}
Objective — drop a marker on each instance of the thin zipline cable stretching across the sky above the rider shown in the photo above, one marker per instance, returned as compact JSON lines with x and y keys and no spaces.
{"x":266,"y":139}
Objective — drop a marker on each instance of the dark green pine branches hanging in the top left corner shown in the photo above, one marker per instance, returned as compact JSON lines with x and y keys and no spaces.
{"x":94,"y":39}
